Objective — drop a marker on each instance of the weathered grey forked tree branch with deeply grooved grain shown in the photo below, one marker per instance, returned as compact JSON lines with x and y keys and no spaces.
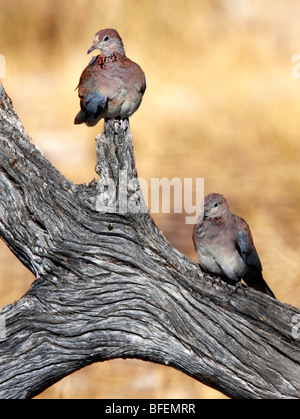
{"x":110,"y":285}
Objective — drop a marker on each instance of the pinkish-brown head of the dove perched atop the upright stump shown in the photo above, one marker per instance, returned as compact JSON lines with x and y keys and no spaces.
{"x":108,"y":41}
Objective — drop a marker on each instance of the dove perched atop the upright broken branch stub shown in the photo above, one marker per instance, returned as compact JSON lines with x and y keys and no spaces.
{"x":111,"y":86}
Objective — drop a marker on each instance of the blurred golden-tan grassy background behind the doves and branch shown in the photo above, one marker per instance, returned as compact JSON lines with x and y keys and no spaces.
{"x":222,"y":103}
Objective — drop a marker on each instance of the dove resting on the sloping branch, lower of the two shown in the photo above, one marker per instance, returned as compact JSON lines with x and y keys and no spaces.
{"x":224,"y":245}
